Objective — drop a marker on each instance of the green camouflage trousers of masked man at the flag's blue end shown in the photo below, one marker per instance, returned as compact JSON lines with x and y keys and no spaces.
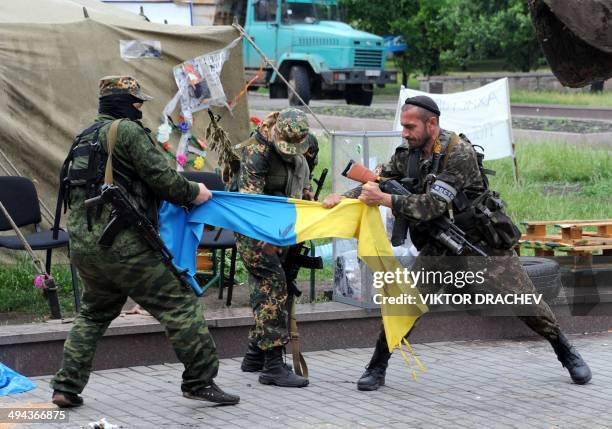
{"x":108,"y":281}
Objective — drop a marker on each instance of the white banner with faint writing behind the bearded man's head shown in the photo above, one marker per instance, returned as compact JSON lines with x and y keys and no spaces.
{"x":482,"y":114}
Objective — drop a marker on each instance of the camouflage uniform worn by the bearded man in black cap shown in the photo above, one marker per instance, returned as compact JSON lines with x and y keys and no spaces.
{"x":460,"y":171}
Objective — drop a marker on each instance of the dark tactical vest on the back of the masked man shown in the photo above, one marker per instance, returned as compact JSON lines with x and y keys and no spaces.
{"x":84,"y":168}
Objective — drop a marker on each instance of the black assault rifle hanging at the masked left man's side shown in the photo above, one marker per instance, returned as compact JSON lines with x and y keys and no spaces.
{"x":124,"y":214}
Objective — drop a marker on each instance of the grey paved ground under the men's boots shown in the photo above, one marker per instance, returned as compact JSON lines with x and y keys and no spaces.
{"x":500,"y":384}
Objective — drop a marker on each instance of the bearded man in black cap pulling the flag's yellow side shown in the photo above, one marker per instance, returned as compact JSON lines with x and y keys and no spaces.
{"x":453,"y":190}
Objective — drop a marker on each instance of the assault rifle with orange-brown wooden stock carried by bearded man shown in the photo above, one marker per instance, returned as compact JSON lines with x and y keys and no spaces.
{"x":440,"y":228}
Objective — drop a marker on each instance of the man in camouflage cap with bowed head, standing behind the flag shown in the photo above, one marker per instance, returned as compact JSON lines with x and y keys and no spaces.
{"x":272,"y":163}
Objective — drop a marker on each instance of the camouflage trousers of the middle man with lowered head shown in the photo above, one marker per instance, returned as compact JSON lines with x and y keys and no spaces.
{"x":268,"y":293}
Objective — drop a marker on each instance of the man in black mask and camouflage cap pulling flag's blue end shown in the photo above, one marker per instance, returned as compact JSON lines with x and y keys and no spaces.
{"x":129,"y":267}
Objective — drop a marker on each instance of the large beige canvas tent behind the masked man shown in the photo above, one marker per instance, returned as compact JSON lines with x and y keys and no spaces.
{"x":51,"y":57}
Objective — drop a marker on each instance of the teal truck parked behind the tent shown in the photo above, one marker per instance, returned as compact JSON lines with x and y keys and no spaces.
{"x":320,"y":56}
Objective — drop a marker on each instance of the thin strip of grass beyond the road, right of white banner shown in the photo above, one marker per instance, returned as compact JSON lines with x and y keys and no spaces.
{"x":563,"y":98}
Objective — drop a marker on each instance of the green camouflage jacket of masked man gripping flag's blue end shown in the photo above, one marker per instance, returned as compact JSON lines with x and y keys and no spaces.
{"x":152,"y":178}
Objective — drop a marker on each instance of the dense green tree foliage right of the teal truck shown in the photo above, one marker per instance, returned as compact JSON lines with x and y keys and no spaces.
{"x":442,"y":33}
